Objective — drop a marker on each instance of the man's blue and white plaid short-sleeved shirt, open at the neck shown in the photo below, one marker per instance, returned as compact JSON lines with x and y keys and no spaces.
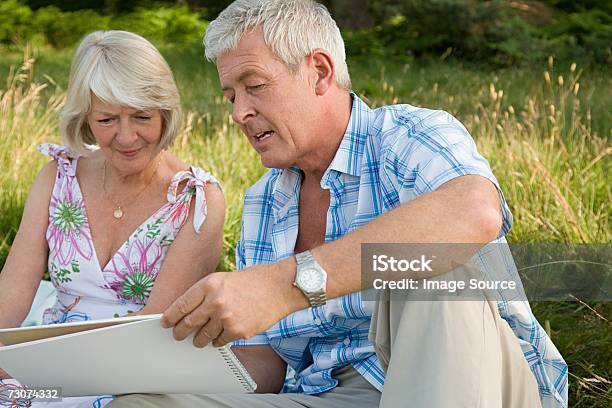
{"x":387,"y":156}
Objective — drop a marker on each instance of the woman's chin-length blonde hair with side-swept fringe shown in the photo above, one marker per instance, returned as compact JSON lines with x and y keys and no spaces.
{"x":120,"y":68}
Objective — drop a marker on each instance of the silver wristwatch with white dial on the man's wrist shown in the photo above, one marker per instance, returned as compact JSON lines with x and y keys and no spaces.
{"x":310,"y":278}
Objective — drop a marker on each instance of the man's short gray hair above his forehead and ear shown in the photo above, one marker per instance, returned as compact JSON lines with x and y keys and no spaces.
{"x":291,"y":28}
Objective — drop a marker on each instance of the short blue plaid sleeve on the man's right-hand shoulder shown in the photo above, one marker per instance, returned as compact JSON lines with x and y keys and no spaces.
{"x":436,"y":149}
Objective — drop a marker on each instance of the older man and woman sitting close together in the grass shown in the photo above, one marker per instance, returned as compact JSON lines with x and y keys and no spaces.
{"x":341,"y":174}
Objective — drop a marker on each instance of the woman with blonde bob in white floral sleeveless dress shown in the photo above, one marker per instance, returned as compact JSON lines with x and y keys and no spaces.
{"x":121,"y":224}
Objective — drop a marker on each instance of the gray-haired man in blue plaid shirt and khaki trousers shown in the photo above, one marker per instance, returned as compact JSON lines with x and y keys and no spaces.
{"x":342,"y":175}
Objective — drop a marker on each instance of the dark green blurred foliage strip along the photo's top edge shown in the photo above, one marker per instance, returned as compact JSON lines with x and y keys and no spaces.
{"x":499,"y":32}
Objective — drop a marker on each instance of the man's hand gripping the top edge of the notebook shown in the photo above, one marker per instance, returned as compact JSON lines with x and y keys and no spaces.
{"x":227,"y":306}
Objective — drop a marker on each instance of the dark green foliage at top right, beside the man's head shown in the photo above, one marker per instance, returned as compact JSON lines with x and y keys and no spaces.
{"x":497,"y":31}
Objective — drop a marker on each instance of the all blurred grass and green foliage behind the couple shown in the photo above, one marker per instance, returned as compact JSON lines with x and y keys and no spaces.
{"x":531,"y":81}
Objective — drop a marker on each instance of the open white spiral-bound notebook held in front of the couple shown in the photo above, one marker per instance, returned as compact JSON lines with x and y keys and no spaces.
{"x":130,"y":355}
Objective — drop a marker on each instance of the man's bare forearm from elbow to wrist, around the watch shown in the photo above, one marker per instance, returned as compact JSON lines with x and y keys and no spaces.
{"x":464,"y":210}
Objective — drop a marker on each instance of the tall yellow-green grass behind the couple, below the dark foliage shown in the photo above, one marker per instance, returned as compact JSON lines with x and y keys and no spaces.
{"x":545,"y":131}
